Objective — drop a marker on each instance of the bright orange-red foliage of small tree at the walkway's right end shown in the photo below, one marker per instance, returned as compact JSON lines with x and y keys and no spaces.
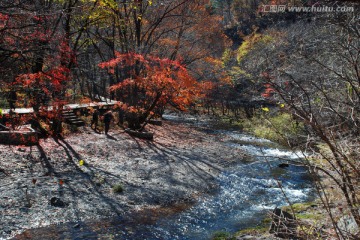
{"x":152,"y":83}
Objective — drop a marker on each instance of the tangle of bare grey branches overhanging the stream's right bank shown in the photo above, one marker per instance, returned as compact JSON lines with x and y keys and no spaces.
{"x":312,"y":67}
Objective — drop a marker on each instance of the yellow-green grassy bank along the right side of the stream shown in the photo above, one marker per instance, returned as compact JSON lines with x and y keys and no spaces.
{"x":315,"y":219}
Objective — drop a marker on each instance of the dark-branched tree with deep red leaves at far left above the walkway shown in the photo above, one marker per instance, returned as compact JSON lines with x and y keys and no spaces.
{"x":35,"y":55}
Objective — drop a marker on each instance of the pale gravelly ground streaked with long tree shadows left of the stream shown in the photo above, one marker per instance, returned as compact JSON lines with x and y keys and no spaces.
{"x":179,"y":165}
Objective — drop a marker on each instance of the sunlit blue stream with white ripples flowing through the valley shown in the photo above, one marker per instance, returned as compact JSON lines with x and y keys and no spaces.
{"x":247,"y":192}
